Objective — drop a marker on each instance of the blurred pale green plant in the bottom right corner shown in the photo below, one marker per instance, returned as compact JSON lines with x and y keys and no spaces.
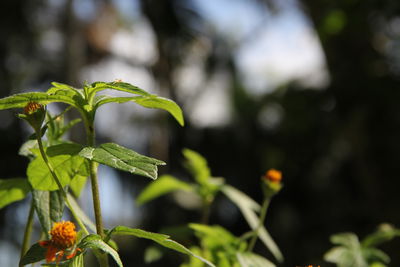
{"x":350,"y":252}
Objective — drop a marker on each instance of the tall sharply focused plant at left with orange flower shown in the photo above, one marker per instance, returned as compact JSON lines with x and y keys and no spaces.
{"x":58,"y":170}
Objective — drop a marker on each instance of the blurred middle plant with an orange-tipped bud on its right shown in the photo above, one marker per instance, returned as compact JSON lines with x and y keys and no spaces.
{"x":216,"y":243}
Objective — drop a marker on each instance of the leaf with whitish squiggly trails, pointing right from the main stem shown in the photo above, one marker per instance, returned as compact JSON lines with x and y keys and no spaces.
{"x":122,"y":158}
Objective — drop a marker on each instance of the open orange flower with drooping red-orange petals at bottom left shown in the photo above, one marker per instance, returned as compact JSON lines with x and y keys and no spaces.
{"x":63,"y":238}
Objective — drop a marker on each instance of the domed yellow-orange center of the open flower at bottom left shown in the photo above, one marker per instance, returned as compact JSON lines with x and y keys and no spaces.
{"x":63,"y":234}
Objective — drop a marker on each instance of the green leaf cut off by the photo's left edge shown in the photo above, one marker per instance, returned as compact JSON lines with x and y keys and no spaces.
{"x":12,"y":190}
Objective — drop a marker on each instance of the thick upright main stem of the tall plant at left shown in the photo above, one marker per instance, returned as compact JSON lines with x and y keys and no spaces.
{"x":103,"y":259}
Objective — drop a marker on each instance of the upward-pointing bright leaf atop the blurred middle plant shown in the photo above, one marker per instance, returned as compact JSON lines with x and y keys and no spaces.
{"x":197,"y":165}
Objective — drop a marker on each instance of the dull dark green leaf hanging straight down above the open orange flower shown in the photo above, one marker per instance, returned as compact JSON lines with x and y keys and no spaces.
{"x":49,"y":206}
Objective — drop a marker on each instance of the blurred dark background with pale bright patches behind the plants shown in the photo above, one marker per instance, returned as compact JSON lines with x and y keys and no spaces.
{"x":308,"y":87}
